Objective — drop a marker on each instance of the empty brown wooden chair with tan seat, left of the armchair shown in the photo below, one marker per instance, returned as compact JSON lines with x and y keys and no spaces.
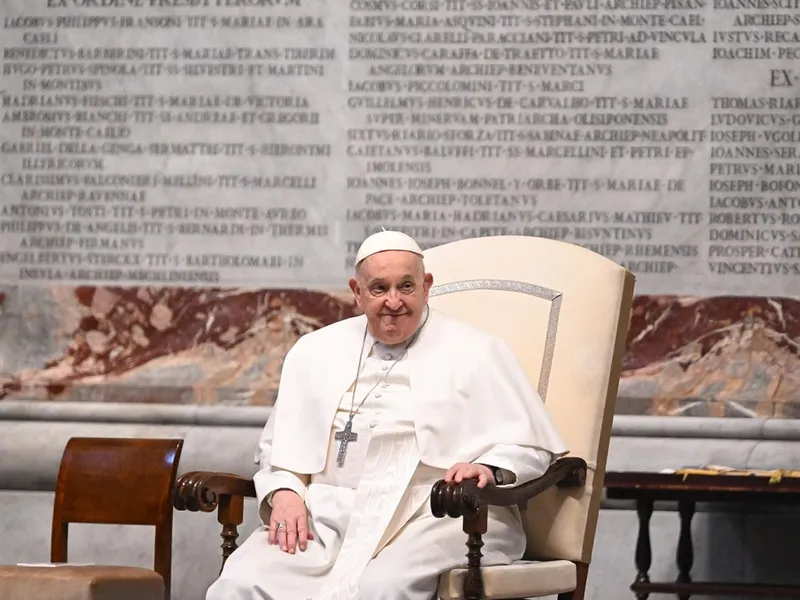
{"x":110,"y":481}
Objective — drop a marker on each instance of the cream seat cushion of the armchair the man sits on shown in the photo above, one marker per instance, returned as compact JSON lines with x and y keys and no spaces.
{"x":521,"y":579}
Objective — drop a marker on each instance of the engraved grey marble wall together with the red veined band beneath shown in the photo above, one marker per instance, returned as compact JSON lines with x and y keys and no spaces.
{"x":222,"y":161}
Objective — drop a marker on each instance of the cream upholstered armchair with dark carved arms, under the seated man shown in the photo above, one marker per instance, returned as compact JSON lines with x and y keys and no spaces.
{"x":564,"y":311}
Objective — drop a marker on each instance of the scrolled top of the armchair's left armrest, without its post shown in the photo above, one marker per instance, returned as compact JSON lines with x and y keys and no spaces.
{"x":201,"y":490}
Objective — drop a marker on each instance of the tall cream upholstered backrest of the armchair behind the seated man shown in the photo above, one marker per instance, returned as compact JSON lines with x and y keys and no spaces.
{"x":564,"y":311}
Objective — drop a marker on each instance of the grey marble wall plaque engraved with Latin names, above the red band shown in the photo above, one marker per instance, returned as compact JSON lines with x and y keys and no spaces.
{"x":257,"y":142}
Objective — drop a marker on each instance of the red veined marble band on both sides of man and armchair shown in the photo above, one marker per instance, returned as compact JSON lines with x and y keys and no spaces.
{"x":718,"y":357}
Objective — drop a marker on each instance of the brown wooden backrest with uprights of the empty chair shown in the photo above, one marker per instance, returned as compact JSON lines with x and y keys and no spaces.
{"x":118,"y":481}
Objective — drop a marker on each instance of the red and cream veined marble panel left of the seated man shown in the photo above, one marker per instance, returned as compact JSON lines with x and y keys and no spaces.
{"x":161,"y":345}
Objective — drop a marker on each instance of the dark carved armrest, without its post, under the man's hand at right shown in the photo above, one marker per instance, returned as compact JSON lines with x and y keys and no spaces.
{"x":465,"y":498}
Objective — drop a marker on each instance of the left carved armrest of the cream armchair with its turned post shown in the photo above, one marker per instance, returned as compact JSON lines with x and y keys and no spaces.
{"x":205,"y":491}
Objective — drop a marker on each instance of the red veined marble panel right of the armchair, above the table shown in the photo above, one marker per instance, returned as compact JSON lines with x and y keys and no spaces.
{"x":723,"y":356}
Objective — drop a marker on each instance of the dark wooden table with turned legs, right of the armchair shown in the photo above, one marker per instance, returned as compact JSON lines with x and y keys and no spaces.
{"x":687,"y":491}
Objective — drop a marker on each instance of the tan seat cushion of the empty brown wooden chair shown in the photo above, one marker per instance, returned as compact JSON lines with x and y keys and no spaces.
{"x":65,"y":582}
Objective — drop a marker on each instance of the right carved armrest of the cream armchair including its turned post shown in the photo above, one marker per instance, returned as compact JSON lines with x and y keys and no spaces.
{"x":467,"y":500}
